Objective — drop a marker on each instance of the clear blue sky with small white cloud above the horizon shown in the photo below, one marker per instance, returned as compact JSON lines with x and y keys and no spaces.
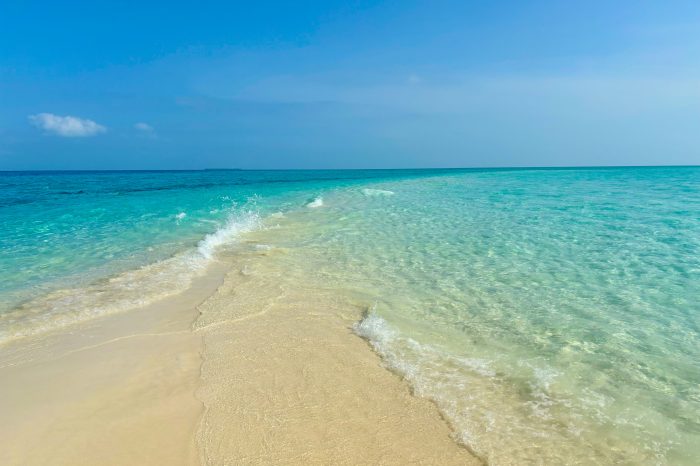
{"x":353,"y":84}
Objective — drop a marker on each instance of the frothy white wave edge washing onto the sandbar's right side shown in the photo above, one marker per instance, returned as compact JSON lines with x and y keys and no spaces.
{"x":468,"y":391}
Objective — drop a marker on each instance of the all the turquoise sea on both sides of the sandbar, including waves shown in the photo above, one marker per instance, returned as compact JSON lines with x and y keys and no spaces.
{"x":552,"y":315}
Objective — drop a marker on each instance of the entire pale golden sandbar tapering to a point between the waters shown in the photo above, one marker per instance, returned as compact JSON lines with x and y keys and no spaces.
{"x":263,"y":371}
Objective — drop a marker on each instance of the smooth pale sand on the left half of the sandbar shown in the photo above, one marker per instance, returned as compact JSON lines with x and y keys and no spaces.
{"x":116,"y":390}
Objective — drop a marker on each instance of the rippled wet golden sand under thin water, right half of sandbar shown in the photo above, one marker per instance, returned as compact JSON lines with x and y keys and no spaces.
{"x":285,"y":381}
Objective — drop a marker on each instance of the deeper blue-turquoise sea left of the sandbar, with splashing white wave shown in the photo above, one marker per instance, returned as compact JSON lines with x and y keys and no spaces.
{"x":78,"y":244}
